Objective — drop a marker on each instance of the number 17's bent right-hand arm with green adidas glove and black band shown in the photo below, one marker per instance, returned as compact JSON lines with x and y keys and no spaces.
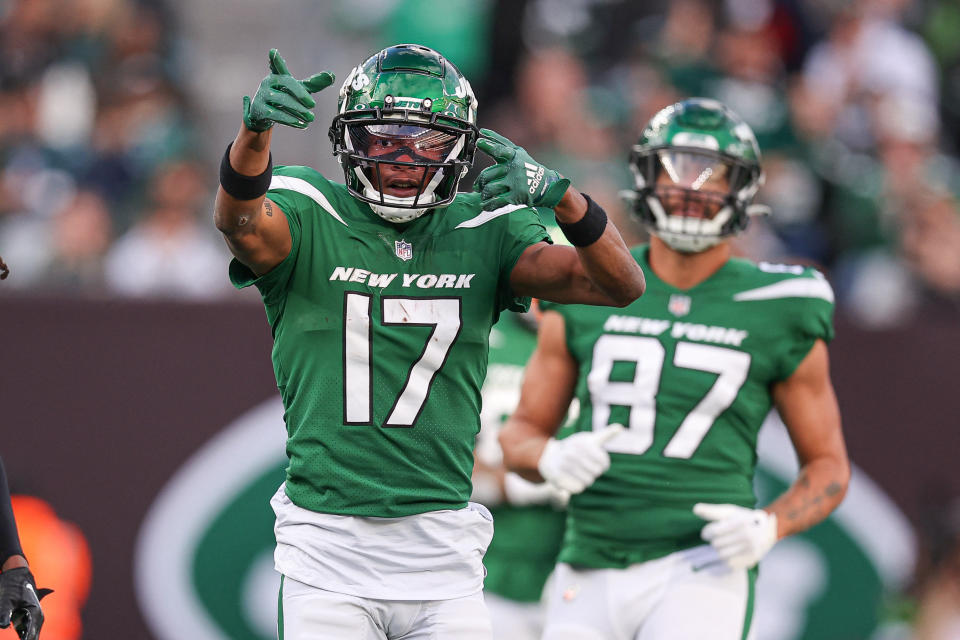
{"x":600,"y":270}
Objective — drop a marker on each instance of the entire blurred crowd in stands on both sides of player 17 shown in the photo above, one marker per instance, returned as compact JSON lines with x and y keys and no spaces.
{"x":107,"y":185}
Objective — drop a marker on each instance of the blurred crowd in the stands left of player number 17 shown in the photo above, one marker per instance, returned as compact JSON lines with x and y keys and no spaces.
{"x":100,"y":188}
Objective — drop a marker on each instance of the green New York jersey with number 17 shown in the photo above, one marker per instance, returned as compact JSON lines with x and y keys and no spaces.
{"x":380,"y":343}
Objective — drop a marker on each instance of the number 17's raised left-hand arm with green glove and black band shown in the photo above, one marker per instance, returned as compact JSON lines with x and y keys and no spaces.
{"x":254,"y":227}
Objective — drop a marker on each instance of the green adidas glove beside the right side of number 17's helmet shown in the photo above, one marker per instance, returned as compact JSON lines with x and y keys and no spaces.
{"x":516,"y":178}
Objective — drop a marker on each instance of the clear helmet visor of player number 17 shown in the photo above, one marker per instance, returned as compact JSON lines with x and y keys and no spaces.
{"x":402,"y":142}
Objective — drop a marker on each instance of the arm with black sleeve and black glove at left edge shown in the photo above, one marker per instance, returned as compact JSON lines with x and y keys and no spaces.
{"x":19,"y":596}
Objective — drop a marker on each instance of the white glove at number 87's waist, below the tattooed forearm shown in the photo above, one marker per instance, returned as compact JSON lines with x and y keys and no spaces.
{"x":740,"y":536}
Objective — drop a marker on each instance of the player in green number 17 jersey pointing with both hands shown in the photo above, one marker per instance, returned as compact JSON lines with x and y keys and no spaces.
{"x":380,"y":293}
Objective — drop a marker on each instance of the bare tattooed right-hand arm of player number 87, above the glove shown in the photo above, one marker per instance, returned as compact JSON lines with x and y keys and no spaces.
{"x":808,"y":406}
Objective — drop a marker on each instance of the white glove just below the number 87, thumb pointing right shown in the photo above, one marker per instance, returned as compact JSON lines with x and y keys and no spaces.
{"x":572,"y":464}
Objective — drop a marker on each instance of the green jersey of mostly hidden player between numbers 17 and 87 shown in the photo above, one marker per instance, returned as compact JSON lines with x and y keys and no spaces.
{"x":526,"y":540}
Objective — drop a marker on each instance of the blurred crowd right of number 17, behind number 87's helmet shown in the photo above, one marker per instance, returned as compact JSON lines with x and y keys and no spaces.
{"x":854,"y":103}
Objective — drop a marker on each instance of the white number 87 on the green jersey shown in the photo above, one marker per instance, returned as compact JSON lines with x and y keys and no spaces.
{"x":640,"y":393}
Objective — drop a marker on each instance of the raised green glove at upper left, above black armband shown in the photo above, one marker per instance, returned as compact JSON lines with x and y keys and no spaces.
{"x":282,"y":98}
